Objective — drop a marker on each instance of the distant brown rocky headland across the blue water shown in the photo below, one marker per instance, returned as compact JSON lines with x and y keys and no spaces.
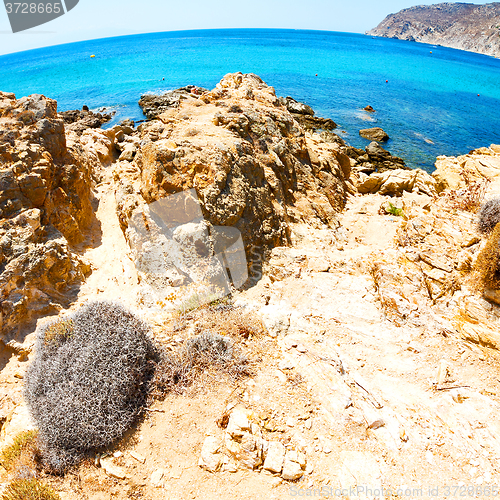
{"x":465,"y":26}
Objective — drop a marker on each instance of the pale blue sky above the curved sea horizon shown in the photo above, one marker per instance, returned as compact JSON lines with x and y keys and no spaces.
{"x":97,"y":18}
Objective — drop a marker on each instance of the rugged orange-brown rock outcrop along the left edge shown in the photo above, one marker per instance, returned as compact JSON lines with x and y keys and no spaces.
{"x":45,"y":209}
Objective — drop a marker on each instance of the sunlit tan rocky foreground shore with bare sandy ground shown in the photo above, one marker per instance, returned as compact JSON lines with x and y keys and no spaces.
{"x":374,"y":360}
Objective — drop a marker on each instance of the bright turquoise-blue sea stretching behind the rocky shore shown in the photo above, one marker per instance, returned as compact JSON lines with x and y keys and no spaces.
{"x":426,"y":96}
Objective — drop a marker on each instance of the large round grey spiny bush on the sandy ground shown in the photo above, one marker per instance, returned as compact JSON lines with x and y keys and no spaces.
{"x":89,"y":381}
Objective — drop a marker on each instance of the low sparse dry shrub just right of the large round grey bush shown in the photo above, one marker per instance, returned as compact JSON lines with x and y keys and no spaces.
{"x":202,"y":356}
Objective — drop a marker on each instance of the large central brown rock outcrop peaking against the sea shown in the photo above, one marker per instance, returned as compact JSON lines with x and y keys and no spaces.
{"x":251,"y":164}
